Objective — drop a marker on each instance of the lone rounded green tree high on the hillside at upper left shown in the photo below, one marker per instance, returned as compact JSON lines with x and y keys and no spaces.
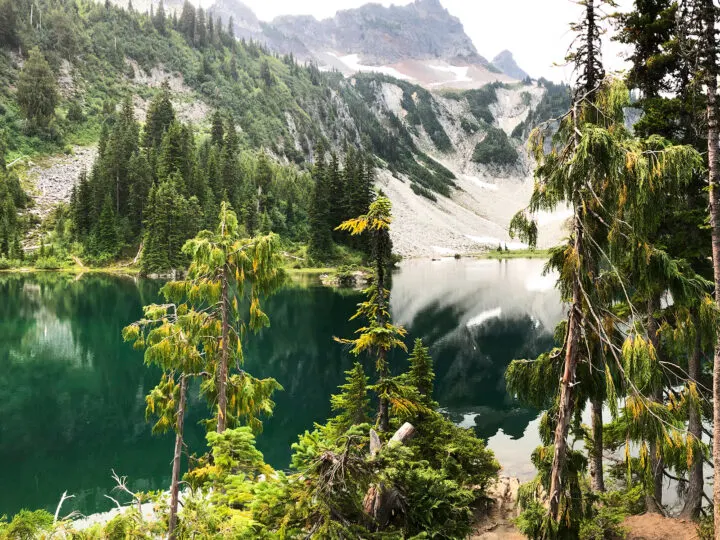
{"x":37,"y":91}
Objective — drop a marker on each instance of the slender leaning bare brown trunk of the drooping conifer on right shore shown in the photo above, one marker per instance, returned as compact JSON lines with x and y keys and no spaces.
{"x":565,"y":408}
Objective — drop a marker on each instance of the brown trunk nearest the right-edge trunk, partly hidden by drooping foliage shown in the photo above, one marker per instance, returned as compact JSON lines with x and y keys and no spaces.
{"x":693,"y":498}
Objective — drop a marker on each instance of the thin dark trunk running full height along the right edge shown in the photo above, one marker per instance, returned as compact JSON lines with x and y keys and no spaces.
{"x":711,"y":72}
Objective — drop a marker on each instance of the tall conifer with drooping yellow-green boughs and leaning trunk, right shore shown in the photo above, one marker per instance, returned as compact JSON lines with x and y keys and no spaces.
{"x":583,"y":170}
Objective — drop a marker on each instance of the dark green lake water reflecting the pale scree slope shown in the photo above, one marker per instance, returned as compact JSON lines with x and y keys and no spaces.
{"x":72,"y":394}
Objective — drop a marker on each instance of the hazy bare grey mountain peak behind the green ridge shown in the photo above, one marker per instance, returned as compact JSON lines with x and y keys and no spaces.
{"x":380,"y":35}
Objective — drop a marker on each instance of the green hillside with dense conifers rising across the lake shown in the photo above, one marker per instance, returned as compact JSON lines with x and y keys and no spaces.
{"x":177,"y":97}
